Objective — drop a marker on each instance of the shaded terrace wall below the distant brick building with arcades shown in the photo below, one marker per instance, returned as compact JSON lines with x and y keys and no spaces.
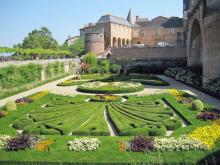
{"x":149,"y":59}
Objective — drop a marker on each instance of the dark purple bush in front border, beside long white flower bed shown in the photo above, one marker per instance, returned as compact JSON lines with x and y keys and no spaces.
{"x":141,"y":144}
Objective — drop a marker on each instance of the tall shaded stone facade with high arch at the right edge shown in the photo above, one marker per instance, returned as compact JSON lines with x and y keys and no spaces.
{"x":202,"y":37}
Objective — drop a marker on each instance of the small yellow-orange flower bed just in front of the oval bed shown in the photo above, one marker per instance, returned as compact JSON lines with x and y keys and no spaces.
{"x":106,"y":98}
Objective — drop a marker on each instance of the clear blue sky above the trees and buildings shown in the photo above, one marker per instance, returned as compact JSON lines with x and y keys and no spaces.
{"x":66,"y":17}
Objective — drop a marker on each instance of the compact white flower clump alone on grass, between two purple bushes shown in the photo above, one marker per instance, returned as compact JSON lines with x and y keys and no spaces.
{"x":84,"y":144}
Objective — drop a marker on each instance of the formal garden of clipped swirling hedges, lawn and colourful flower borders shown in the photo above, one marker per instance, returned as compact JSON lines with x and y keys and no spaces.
{"x":99,"y":127}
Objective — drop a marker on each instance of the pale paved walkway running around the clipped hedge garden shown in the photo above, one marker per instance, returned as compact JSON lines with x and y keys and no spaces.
{"x":71,"y":90}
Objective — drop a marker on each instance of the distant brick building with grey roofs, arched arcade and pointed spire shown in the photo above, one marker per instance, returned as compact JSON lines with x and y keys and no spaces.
{"x":120,"y":32}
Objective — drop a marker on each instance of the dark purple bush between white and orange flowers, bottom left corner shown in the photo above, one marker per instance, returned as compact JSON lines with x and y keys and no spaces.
{"x":21,"y":142}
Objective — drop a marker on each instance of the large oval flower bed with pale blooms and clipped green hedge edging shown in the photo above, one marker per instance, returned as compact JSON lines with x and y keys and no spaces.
{"x":110,"y":87}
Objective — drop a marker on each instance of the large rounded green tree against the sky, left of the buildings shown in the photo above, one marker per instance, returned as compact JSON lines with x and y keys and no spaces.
{"x":39,"y":39}
